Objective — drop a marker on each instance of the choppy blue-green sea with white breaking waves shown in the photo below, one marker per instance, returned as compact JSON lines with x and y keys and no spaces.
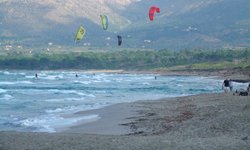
{"x":30,"y":104}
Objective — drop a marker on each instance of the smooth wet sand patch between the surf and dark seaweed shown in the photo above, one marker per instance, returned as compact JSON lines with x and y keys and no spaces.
{"x":108,"y":122}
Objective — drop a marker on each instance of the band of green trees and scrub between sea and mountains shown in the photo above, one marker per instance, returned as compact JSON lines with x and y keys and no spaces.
{"x":146,"y":60}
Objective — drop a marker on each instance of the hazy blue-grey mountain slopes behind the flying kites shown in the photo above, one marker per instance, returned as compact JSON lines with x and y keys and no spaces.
{"x":210,"y":24}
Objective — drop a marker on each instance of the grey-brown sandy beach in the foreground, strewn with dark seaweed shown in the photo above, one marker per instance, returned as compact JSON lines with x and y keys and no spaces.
{"x":218,"y":121}
